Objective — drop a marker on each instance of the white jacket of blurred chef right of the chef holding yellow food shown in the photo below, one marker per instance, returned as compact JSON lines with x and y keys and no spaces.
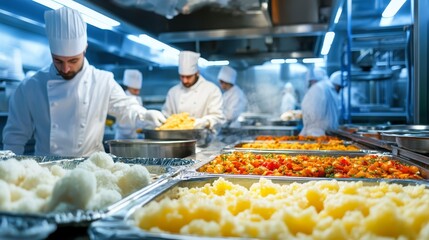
{"x":234,"y":103}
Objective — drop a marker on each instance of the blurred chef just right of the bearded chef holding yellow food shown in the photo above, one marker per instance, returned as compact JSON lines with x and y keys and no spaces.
{"x":234,"y":100}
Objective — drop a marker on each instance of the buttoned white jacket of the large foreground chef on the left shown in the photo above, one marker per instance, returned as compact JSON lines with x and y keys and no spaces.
{"x":67,"y":117}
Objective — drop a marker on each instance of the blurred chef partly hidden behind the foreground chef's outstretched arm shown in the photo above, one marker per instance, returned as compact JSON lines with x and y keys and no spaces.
{"x":132,"y":82}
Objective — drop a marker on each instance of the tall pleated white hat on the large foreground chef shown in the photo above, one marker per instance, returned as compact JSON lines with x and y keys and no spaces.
{"x":66,"y":32}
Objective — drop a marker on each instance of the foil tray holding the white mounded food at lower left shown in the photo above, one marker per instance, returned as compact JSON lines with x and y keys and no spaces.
{"x":159,"y":168}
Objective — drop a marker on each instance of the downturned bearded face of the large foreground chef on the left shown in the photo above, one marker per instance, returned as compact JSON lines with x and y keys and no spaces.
{"x":68,"y":67}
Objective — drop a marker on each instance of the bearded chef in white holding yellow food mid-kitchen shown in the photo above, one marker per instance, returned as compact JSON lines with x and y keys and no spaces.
{"x":195,"y":95}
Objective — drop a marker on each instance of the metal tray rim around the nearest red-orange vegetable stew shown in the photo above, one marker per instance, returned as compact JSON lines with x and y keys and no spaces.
{"x":194,"y":170}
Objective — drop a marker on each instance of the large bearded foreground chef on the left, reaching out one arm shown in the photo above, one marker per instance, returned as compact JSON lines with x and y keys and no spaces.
{"x":65,"y":105}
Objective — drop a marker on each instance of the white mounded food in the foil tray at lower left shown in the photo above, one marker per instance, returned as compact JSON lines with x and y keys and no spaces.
{"x":27,"y":187}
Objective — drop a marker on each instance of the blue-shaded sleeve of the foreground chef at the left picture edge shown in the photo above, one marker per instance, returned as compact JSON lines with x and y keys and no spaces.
{"x":18,"y":129}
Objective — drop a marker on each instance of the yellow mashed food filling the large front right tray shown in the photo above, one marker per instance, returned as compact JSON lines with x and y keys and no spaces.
{"x":312,"y":210}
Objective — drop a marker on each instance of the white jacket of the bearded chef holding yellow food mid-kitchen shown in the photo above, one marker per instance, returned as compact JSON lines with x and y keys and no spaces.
{"x":202,"y":100}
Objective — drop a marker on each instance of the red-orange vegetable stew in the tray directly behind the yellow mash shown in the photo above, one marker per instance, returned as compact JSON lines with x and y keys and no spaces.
{"x":275,"y":164}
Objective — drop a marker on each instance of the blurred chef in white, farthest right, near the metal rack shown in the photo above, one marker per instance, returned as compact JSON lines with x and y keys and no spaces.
{"x":321,"y":106}
